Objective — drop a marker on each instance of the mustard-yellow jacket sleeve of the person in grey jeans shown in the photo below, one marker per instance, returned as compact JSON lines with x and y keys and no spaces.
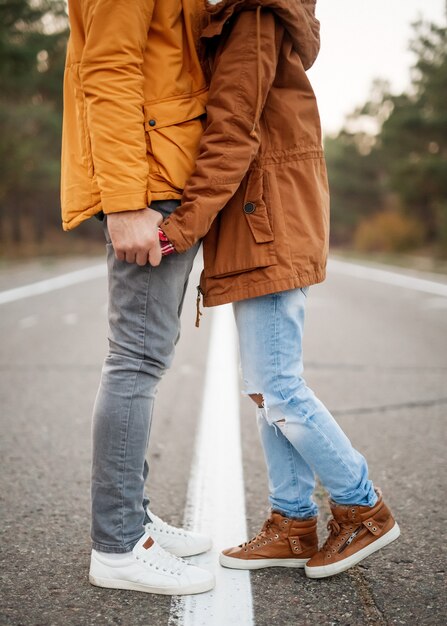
{"x":112,"y":83}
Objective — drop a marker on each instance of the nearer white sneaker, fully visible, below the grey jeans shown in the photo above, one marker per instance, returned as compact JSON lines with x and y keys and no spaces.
{"x":149,"y":568}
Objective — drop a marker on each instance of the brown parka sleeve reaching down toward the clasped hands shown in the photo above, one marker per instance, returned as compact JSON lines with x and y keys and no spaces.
{"x":231,"y":138}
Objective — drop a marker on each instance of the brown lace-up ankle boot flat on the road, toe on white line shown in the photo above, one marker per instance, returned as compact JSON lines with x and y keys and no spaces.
{"x":282,"y":542}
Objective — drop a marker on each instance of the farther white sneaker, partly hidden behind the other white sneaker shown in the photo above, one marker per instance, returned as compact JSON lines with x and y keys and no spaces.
{"x":176,"y":540}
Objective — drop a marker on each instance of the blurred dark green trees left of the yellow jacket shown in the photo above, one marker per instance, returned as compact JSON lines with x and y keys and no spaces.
{"x":32,"y":51}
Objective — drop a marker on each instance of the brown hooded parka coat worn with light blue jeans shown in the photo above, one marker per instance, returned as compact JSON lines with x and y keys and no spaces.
{"x":259,"y":193}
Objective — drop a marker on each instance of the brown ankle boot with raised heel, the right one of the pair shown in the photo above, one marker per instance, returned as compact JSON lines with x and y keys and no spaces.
{"x":355,"y":533}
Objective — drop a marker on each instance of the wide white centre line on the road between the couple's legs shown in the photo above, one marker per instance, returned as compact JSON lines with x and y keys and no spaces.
{"x":215,"y":501}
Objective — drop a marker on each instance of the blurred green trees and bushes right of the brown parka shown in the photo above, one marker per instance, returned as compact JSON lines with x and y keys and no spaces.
{"x":407,"y":158}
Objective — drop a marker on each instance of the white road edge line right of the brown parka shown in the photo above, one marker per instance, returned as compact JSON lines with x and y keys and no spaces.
{"x":388,"y":277}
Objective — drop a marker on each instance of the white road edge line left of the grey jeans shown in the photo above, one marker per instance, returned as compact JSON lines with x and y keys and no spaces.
{"x":58,"y":282}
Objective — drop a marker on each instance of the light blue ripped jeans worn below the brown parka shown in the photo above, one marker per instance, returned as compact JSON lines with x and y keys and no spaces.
{"x":299,"y":436}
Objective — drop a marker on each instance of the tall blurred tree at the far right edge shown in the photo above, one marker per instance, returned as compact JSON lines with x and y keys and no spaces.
{"x":414,"y":137}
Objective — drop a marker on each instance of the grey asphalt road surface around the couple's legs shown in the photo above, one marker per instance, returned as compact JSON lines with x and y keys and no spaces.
{"x":376,"y":354}
